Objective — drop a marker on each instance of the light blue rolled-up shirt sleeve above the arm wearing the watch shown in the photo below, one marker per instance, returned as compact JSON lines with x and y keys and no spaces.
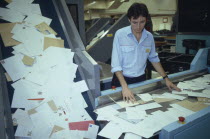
{"x":153,"y":56}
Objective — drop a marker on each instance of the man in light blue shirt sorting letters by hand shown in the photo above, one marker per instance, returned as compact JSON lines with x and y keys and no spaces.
{"x":132,"y":46}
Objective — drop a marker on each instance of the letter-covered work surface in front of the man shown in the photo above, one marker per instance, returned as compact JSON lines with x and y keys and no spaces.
{"x":154,"y":108}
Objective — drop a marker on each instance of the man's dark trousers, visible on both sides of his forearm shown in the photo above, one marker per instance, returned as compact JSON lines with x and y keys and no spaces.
{"x":116,"y":82}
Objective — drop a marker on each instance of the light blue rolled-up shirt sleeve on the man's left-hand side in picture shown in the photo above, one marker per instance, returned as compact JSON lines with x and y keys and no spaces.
{"x":116,"y":55}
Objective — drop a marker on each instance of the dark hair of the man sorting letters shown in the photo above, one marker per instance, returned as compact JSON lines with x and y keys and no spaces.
{"x":136,"y":10}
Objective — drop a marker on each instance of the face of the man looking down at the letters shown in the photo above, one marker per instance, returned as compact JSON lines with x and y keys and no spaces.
{"x":138,"y":24}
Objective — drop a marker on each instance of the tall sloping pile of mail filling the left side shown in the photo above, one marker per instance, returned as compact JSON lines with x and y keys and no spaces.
{"x":49,"y":102}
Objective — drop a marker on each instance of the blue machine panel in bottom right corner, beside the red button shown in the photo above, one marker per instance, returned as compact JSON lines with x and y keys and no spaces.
{"x":196,"y":127}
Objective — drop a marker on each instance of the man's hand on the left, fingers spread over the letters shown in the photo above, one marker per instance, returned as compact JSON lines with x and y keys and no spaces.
{"x":128,"y":95}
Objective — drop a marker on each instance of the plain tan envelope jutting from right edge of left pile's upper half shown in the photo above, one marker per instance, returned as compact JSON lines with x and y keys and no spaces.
{"x":53,"y":42}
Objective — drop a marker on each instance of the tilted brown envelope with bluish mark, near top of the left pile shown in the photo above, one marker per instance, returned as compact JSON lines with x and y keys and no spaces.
{"x":45,"y":29}
